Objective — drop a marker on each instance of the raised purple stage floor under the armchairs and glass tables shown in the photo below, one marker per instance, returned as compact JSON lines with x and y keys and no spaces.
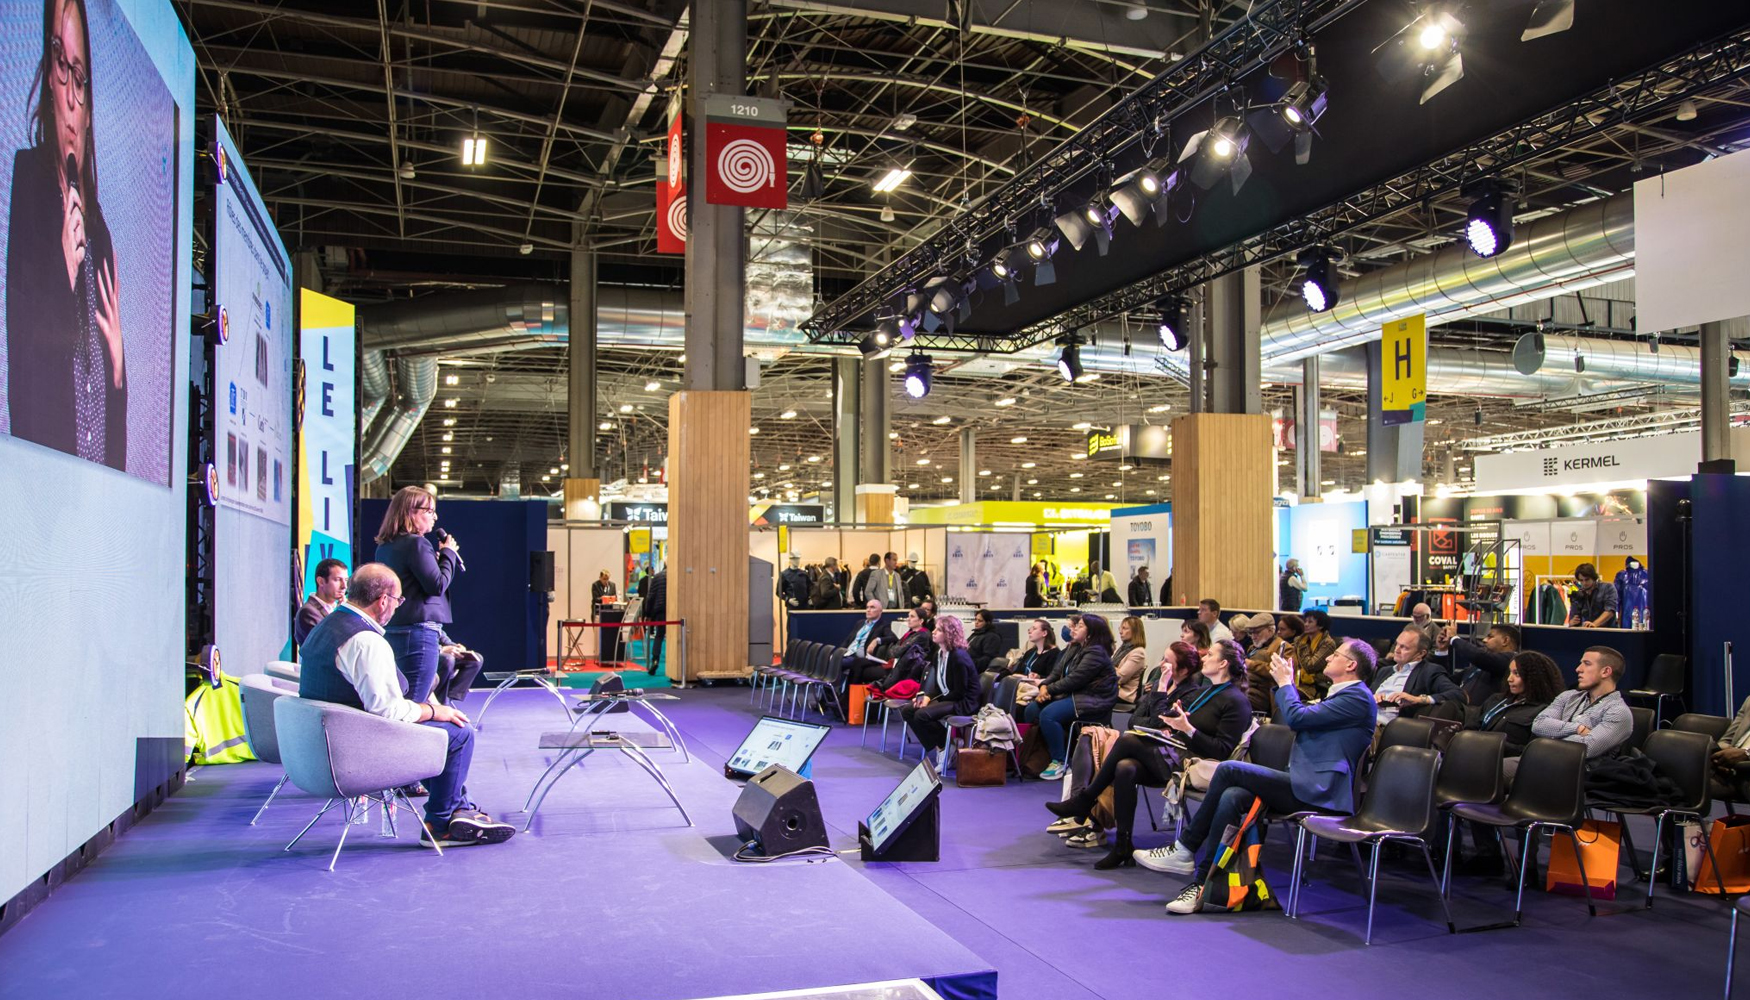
{"x":610,"y":896}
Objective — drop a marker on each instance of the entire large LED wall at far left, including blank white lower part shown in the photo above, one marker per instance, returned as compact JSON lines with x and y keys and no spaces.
{"x":97,"y":151}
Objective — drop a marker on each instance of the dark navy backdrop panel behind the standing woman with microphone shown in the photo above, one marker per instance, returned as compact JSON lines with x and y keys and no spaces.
{"x":494,"y":610}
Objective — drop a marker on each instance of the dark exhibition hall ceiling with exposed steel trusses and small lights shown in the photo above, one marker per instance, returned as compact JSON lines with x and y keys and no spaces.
{"x":353,"y":116}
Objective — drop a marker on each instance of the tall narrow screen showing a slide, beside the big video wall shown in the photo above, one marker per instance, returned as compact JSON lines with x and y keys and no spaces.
{"x":253,"y":421}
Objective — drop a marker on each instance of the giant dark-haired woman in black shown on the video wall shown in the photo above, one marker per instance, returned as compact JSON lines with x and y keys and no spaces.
{"x":67,"y":379}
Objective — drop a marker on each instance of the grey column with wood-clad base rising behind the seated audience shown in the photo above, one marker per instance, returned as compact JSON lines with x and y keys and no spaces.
{"x":1222,"y":458}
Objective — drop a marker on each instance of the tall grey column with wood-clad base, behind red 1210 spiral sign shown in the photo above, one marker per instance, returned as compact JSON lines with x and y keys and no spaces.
{"x":710,"y":418}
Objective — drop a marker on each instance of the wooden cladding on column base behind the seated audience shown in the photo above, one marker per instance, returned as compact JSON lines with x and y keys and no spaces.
{"x":1222,"y":511}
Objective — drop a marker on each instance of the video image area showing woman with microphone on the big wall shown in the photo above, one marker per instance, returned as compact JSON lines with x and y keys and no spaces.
{"x":90,"y":248}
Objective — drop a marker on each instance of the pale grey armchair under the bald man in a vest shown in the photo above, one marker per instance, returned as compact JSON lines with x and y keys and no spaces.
{"x":347,"y":756}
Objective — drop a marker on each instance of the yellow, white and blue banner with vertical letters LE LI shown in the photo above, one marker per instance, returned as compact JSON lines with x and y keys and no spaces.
{"x":326,"y":432}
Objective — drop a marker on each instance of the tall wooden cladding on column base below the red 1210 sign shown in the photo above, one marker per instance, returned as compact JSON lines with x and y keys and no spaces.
{"x":708,"y":532}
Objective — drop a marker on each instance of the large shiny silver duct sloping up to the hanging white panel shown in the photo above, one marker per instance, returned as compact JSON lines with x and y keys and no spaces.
{"x":1551,"y":257}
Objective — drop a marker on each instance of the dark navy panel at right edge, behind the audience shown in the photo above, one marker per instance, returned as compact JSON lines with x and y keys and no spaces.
{"x":1721,"y":532}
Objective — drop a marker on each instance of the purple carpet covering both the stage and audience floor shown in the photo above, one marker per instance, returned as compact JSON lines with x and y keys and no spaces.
{"x":615,"y":898}
